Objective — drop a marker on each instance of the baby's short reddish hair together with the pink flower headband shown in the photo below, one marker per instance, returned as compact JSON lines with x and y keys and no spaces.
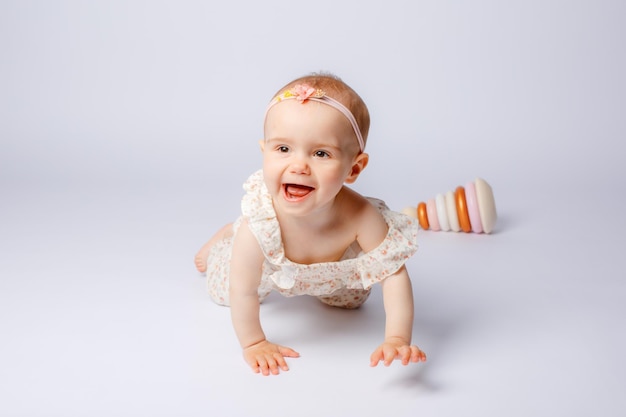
{"x":331,"y":90}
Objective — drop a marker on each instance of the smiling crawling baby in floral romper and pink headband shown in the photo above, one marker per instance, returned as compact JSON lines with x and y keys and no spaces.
{"x":303,"y":231}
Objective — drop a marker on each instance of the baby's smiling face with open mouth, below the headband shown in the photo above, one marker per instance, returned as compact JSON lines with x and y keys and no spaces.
{"x":308,"y":153}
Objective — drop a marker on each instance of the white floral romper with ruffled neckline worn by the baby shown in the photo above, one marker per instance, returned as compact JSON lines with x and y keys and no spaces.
{"x":345,"y":283}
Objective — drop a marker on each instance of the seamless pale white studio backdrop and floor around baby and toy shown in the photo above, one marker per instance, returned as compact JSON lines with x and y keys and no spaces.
{"x":127,"y":128}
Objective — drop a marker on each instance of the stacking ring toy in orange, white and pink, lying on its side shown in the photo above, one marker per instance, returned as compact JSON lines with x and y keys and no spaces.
{"x":471,"y":208}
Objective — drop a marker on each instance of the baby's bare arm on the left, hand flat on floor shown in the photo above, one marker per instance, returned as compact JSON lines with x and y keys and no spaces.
{"x":245,"y":277}
